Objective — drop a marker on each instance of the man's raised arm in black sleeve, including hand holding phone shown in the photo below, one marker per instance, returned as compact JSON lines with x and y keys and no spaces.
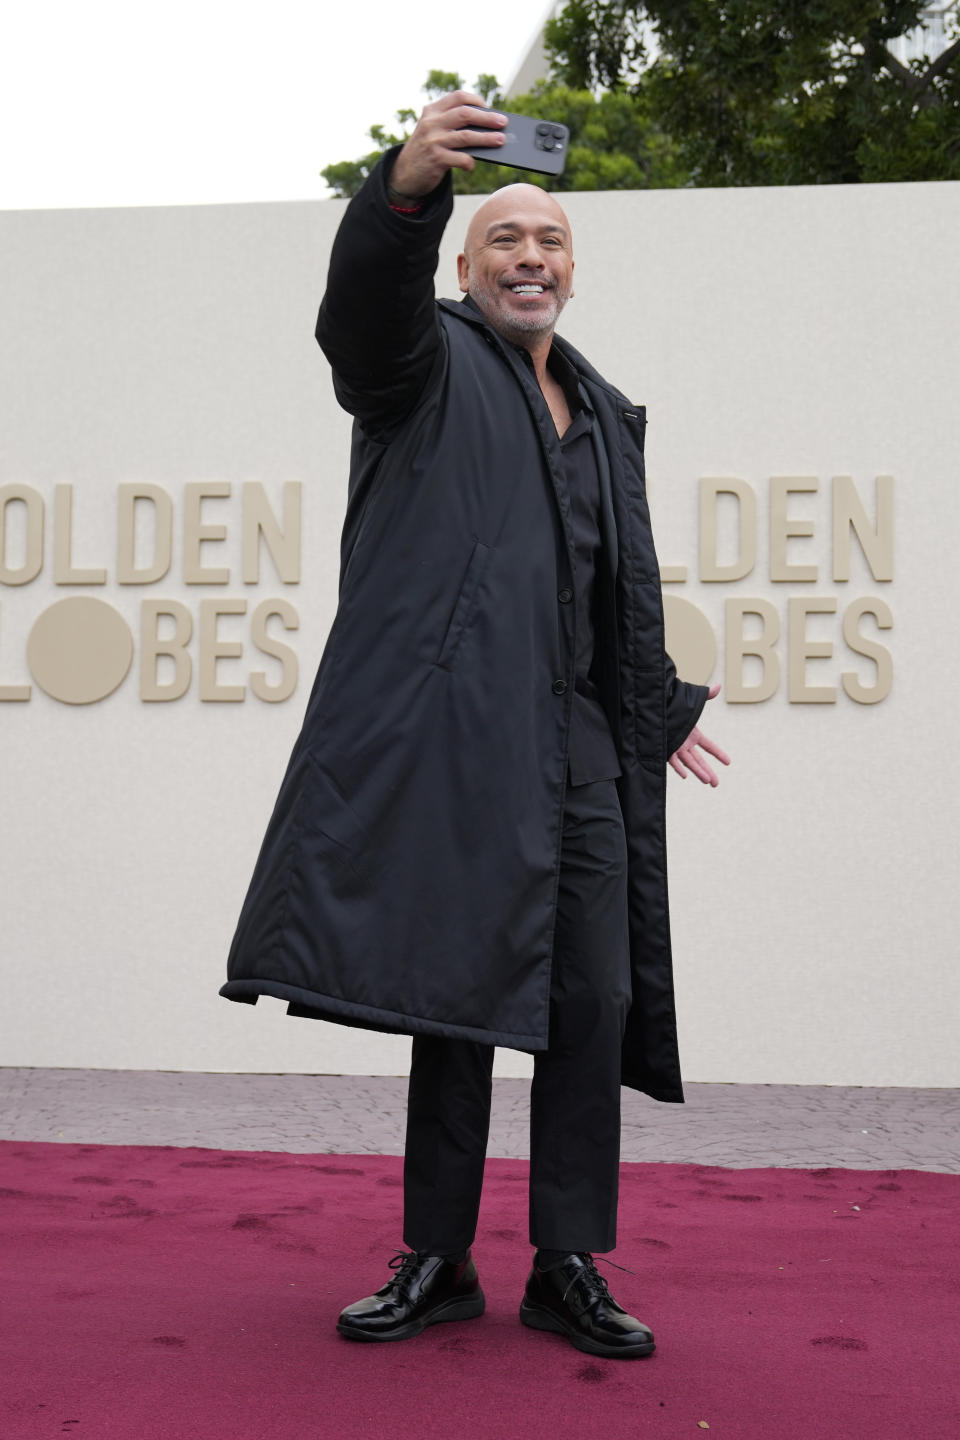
{"x":378,"y":322}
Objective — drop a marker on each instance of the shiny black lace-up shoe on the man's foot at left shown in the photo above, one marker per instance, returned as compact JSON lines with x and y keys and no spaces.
{"x":424,"y":1291}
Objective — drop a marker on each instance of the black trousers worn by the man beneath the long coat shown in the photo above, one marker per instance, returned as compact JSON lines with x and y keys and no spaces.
{"x":575,"y":1099}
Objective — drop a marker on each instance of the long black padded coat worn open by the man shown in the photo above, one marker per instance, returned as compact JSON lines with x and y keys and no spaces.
{"x":409,"y":873}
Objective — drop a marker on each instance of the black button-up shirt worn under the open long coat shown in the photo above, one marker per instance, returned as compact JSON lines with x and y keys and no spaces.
{"x":592,"y":751}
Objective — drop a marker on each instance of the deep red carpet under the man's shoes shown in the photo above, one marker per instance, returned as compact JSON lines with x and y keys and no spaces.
{"x":191,"y":1295}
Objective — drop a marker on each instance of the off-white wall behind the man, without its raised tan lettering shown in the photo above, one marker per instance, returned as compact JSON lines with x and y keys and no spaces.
{"x":807,"y":333}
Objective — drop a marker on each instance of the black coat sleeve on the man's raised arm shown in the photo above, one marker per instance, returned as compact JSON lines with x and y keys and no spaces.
{"x":378,"y":322}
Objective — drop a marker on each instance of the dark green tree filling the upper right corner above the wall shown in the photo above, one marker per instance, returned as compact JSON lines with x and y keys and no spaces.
{"x":774,"y":91}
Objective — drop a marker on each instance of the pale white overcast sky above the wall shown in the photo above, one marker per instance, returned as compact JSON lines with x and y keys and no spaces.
{"x":130,"y":103}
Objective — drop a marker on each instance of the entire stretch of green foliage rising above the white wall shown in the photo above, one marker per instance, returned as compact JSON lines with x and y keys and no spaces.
{"x":720,"y":93}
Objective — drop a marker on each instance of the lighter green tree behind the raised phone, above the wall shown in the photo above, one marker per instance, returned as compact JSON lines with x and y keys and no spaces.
{"x":614,"y":143}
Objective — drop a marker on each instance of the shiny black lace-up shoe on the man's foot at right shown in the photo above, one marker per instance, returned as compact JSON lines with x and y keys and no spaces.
{"x":574,"y":1300}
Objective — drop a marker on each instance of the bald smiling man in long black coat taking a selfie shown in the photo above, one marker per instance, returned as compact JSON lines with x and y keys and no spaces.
{"x":468,"y":846}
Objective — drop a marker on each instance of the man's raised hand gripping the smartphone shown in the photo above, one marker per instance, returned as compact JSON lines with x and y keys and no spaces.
{"x":440,"y":140}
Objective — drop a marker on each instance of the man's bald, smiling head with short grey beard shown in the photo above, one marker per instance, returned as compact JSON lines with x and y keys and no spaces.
{"x":517,"y":263}
